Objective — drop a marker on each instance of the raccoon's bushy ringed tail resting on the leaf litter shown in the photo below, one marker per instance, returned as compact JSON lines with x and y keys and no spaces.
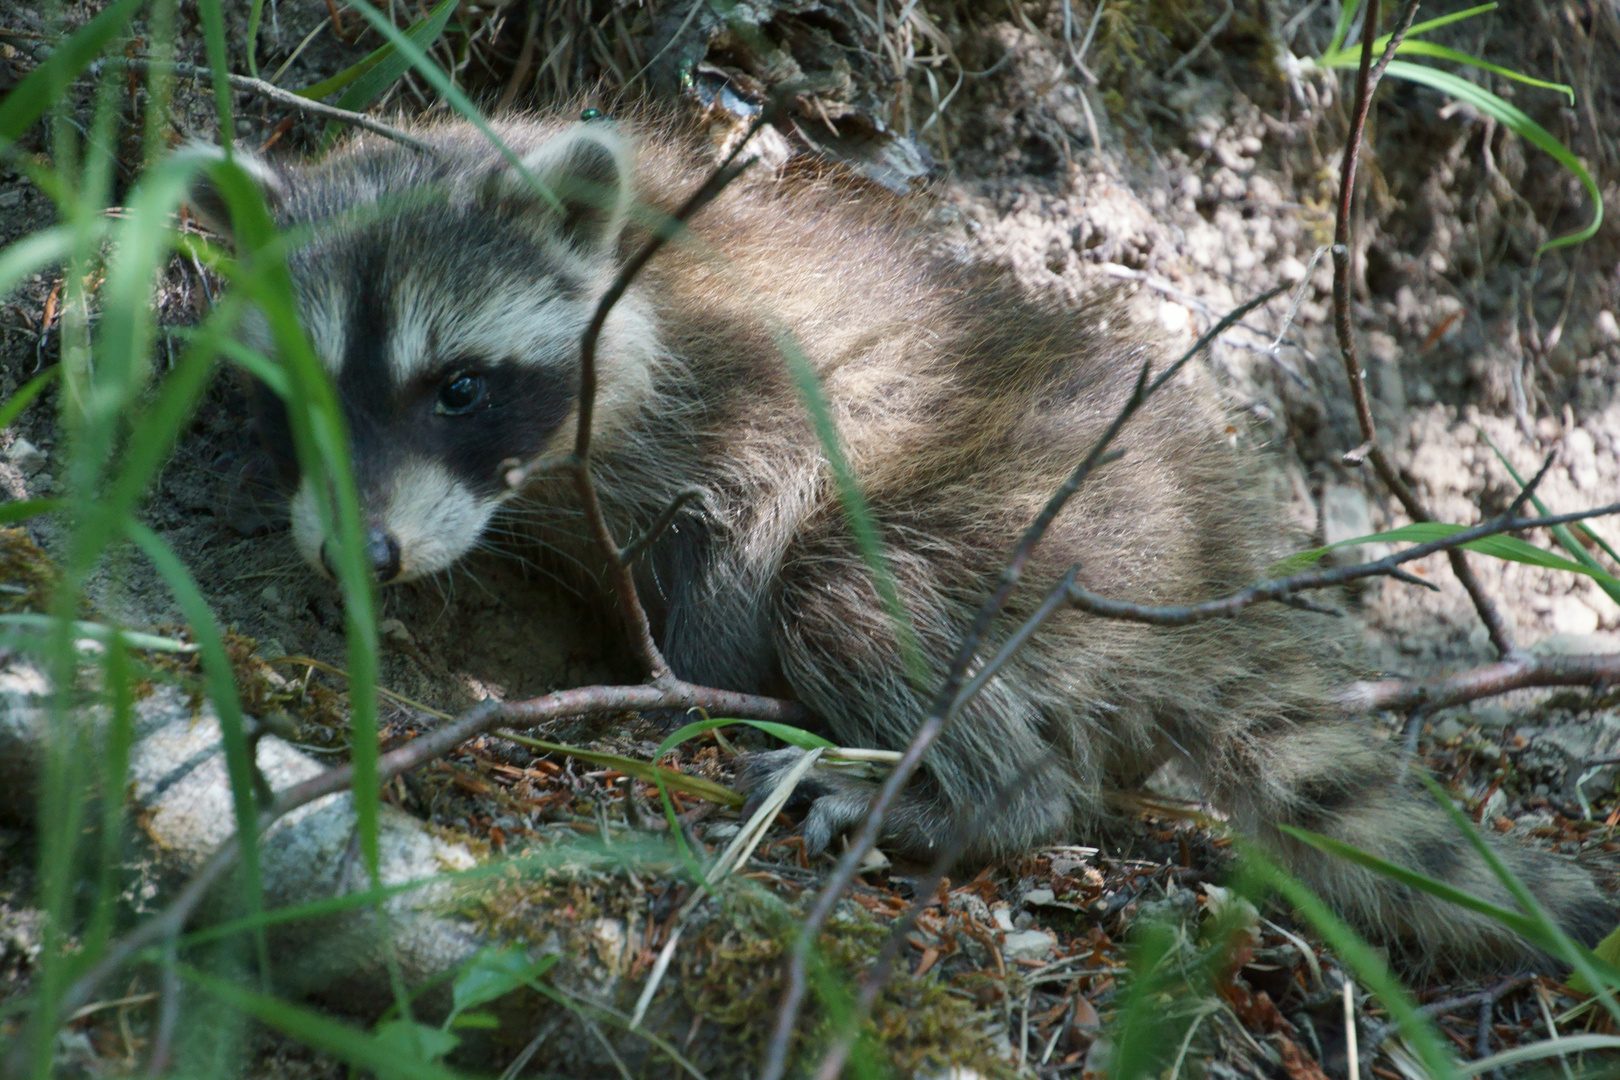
{"x":1337,"y":780}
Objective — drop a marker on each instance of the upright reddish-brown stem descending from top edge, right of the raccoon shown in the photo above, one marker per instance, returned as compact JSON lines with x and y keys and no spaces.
{"x":1366,"y":82}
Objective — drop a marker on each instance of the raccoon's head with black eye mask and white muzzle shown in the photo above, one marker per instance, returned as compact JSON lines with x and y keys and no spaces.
{"x":446,"y":294}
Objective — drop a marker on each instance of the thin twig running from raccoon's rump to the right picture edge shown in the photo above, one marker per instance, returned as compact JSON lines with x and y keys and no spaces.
{"x":1277,"y":589}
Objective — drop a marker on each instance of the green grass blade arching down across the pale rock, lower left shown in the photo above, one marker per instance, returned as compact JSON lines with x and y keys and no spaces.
{"x":223,"y":692}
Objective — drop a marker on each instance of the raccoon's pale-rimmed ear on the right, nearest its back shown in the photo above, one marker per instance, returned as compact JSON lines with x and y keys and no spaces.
{"x":587,"y":174}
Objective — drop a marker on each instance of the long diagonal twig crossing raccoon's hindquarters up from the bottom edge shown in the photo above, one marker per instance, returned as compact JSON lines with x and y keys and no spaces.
{"x":950,"y":700}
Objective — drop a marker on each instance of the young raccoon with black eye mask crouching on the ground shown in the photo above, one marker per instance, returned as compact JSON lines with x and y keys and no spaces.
{"x":448,"y":299}
